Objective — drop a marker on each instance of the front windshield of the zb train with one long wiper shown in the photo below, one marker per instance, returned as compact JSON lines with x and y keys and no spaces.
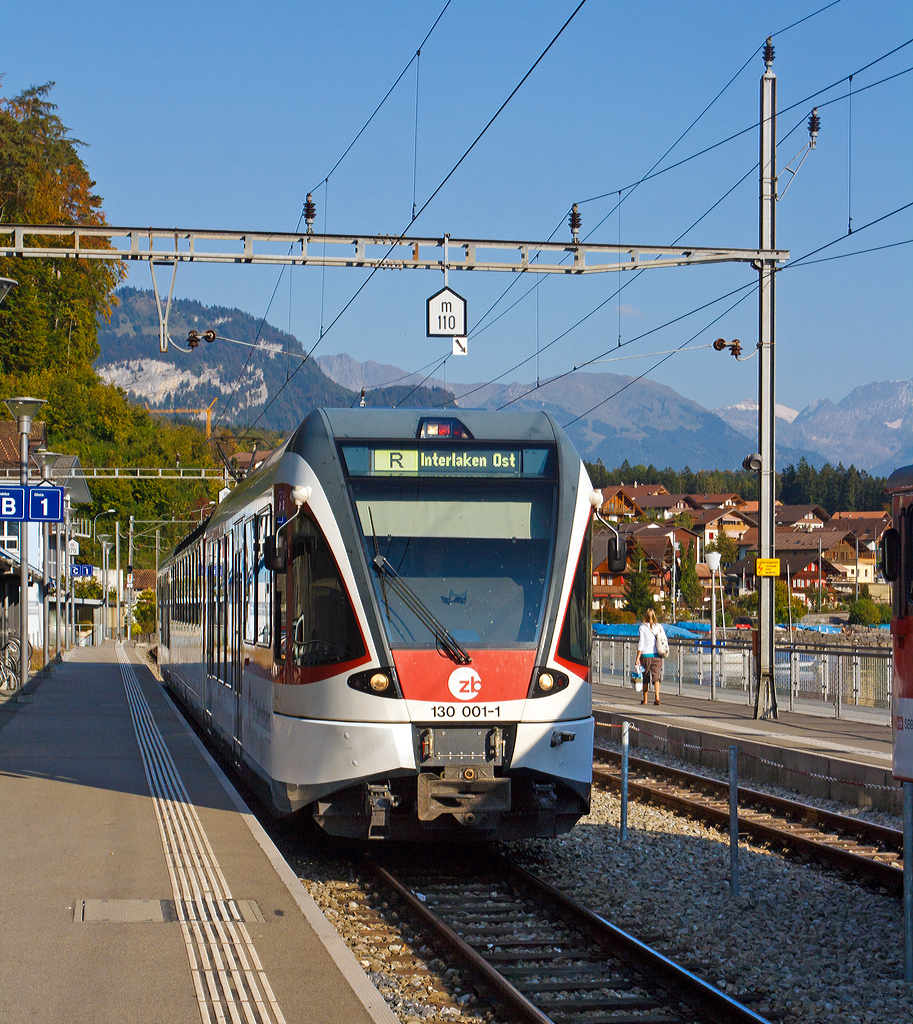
{"x":475,"y":550}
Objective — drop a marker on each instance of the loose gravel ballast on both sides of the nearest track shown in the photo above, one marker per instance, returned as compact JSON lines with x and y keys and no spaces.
{"x":802,"y":945}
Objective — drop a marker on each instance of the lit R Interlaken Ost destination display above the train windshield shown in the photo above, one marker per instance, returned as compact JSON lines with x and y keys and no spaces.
{"x":451,"y":461}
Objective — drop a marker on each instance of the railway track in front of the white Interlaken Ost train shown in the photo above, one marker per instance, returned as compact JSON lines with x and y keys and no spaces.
{"x":547,"y":959}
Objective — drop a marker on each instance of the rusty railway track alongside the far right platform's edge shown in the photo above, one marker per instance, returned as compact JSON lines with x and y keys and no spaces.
{"x":861,"y":849}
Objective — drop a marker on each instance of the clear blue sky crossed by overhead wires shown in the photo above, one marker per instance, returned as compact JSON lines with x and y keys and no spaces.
{"x":224,"y":114}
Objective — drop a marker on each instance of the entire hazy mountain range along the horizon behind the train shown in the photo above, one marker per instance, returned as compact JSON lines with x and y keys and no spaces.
{"x":608,"y":416}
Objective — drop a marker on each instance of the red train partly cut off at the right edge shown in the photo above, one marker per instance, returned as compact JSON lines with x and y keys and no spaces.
{"x":897,"y":565}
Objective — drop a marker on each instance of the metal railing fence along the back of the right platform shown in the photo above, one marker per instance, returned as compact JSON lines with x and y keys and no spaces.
{"x":824,"y":679}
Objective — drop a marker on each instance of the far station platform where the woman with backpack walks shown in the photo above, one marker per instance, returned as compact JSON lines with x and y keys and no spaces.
{"x":842,"y":759}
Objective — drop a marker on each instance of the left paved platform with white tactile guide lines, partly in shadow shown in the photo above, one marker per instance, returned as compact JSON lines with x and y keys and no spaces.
{"x":137,"y":885}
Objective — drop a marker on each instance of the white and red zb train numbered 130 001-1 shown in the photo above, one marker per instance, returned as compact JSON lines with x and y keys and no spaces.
{"x":387,"y":625}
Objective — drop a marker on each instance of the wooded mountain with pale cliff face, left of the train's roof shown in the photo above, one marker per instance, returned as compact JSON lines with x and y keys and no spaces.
{"x":242,"y":378}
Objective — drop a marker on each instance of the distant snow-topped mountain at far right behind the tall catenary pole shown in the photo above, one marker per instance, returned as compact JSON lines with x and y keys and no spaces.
{"x":872,"y":429}
